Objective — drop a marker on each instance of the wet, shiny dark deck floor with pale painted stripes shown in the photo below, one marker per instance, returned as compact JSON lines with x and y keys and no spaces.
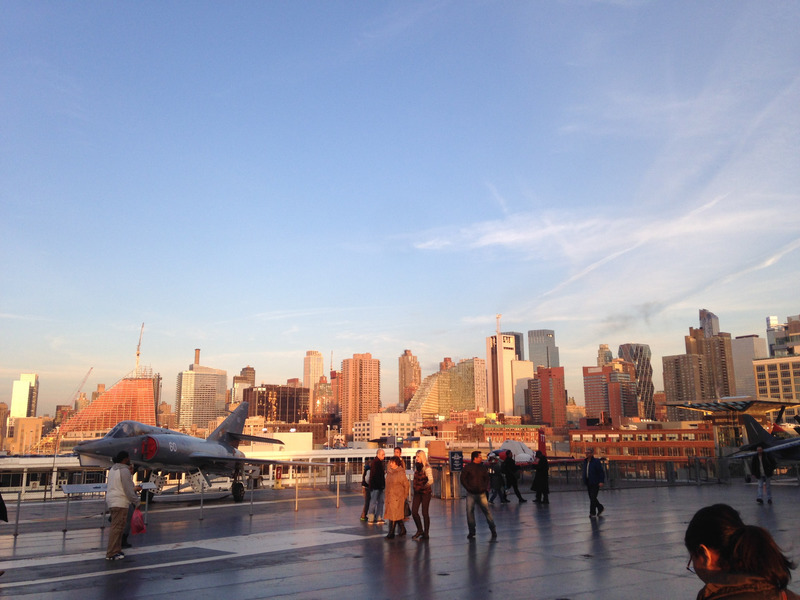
{"x":635,"y":550}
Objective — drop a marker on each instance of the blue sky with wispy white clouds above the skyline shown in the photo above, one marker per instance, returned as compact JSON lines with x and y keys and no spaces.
{"x":259,"y":179}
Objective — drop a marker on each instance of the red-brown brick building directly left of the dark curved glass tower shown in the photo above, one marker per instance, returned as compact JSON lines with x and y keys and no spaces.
{"x":610,"y":390}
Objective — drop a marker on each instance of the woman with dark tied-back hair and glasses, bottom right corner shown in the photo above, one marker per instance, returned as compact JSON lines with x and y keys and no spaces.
{"x":736,"y":561}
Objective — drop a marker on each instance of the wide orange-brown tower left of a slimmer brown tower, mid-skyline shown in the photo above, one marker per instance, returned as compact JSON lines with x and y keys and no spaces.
{"x":360,"y":387}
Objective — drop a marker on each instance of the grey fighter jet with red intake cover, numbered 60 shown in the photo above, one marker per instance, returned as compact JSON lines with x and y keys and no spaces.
{"x":157,"y":449}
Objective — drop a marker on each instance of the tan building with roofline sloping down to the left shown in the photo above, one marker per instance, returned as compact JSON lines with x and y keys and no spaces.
{"x":460,"y":387}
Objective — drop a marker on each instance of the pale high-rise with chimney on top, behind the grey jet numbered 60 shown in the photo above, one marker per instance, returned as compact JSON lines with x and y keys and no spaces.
{"x":200,"y":394}
